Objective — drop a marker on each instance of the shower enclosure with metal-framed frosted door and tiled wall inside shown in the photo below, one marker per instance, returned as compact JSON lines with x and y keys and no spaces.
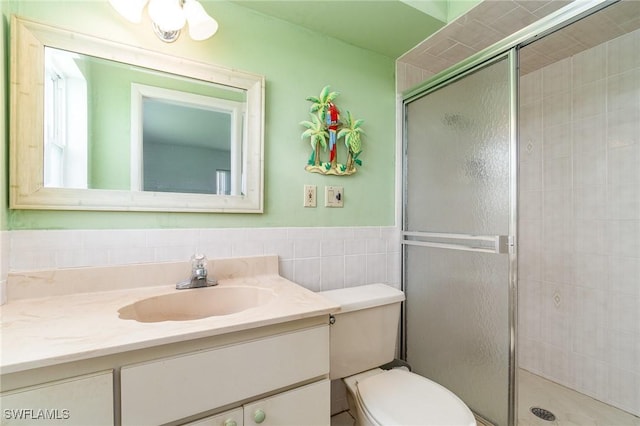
{"x":521,"y":216}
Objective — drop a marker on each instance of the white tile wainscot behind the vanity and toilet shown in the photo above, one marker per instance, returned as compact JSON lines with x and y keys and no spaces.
{"x":317,"y":258}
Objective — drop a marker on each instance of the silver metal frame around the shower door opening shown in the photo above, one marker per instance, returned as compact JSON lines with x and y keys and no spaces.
{"x":508,"y":47}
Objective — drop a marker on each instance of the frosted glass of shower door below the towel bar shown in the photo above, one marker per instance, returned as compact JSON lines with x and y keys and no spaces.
{"x":458,"y":326}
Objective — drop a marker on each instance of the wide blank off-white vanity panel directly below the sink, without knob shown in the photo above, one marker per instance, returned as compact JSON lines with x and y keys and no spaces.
{"x":171,"y":389}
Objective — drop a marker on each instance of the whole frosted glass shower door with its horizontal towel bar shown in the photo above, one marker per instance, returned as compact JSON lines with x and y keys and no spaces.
{"x":458,"y":237}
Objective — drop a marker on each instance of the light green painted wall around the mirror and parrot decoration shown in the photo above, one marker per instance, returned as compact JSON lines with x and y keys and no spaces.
{"x":296,"y":63}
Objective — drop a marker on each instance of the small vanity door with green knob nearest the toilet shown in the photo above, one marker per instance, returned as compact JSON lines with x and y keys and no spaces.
{"x":307,"y":405}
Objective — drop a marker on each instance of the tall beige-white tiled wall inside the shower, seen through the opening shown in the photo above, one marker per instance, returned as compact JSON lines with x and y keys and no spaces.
{"x":579,"y":258}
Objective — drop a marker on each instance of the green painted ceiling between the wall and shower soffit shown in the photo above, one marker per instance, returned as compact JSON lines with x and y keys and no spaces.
{"x":388,"y":27}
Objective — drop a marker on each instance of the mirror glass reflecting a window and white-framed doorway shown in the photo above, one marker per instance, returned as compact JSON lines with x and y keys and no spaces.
{"x":110,"y":125}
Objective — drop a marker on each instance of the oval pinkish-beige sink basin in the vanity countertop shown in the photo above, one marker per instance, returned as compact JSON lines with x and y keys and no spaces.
{"x":192,"y":304}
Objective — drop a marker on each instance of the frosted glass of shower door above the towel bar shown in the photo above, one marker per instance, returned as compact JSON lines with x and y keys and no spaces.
{"x":457,"y":170}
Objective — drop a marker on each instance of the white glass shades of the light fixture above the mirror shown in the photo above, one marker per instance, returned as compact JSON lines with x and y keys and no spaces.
{"x":169,"y":17}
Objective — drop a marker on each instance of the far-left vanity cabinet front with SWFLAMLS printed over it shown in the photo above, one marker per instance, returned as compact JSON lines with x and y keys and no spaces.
{"x":81,"y":401}
